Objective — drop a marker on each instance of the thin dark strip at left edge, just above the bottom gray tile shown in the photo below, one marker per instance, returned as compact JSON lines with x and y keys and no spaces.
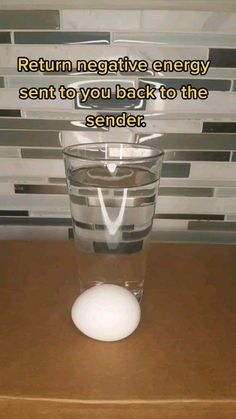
{"x":35,"y":221}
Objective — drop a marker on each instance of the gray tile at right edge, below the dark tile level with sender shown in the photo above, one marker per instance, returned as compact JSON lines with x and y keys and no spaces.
{"x":190,"y":141}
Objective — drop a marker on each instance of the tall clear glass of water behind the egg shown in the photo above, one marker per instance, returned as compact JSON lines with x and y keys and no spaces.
{"x":113,"y":190}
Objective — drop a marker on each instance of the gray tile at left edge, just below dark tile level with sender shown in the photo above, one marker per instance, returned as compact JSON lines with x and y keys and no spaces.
{"x":29,"y":138}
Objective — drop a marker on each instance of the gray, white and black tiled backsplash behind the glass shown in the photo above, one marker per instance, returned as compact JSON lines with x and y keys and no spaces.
{"x":197,"y":197}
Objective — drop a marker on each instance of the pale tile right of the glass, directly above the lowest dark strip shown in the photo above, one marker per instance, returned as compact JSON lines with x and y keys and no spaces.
{"x":178,"y":205}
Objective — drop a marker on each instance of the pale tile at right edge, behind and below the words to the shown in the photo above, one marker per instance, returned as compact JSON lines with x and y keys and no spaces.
{"x":213,"y":104}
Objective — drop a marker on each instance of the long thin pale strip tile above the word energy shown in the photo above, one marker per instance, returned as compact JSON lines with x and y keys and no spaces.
{"x":177,"y":38}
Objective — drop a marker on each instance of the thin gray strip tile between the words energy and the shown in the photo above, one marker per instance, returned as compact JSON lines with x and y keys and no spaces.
{"x":210,"y":84}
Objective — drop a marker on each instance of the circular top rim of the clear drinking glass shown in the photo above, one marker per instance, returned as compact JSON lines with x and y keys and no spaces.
{"x":157,"y":152}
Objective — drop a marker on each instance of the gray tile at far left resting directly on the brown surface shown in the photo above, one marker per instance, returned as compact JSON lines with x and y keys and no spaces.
{"x":33,"y":233}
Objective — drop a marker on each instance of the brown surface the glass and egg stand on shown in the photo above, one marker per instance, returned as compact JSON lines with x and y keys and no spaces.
{"x":182,"y":356}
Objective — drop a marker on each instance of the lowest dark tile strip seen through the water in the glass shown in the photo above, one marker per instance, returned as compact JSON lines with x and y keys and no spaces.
{"x":121,"y":248}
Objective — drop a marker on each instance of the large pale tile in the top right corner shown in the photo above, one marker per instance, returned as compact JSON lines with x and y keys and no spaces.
{"x":188,"y":21}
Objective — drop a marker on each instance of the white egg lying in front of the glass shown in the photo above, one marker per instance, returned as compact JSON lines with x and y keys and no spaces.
{"x":106,"y":312}
